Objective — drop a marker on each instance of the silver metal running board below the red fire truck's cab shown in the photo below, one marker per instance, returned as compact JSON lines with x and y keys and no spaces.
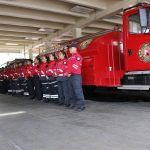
{"x":134,"y":87}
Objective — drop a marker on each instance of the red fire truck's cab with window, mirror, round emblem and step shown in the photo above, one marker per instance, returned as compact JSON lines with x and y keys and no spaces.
{"x":136,"y":43}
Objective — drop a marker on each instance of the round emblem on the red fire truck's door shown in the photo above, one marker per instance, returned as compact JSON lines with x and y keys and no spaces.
{"x":144,"y":52}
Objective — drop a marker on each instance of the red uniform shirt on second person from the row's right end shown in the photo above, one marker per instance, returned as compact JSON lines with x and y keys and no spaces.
{"x":61,"y":68}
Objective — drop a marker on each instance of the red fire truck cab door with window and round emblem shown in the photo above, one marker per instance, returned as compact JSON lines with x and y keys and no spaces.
{"x":136,"y":43}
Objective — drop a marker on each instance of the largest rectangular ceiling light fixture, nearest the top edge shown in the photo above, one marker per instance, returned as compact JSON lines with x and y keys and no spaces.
{"x":82,"y":9}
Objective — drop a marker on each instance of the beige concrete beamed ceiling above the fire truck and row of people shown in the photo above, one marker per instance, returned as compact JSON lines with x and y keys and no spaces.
{"x":26,"y":23}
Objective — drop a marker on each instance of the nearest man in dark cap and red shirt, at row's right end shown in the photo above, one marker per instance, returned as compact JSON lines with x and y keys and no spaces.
{"x":74,"y":74}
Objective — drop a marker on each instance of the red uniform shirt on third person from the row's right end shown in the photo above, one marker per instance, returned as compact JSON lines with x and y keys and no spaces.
{"x":51,"y":68}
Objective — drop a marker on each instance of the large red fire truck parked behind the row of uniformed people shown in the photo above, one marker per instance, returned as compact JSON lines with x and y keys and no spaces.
{"x":119,"y":59}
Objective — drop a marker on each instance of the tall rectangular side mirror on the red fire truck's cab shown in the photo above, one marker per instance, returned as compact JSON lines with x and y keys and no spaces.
{"x":143,"y":18}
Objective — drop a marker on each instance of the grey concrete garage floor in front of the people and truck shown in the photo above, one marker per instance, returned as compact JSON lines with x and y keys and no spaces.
{"x":103,"y":126}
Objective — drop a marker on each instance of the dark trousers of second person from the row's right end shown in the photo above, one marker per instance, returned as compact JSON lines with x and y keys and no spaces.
{"x":63,"y":90}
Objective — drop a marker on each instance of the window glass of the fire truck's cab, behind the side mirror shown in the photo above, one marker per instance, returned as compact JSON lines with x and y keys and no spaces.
{"x":135,"y":26}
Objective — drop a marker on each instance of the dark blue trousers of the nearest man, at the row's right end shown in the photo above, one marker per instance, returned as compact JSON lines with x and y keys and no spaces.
{"x":76,"y":92}
